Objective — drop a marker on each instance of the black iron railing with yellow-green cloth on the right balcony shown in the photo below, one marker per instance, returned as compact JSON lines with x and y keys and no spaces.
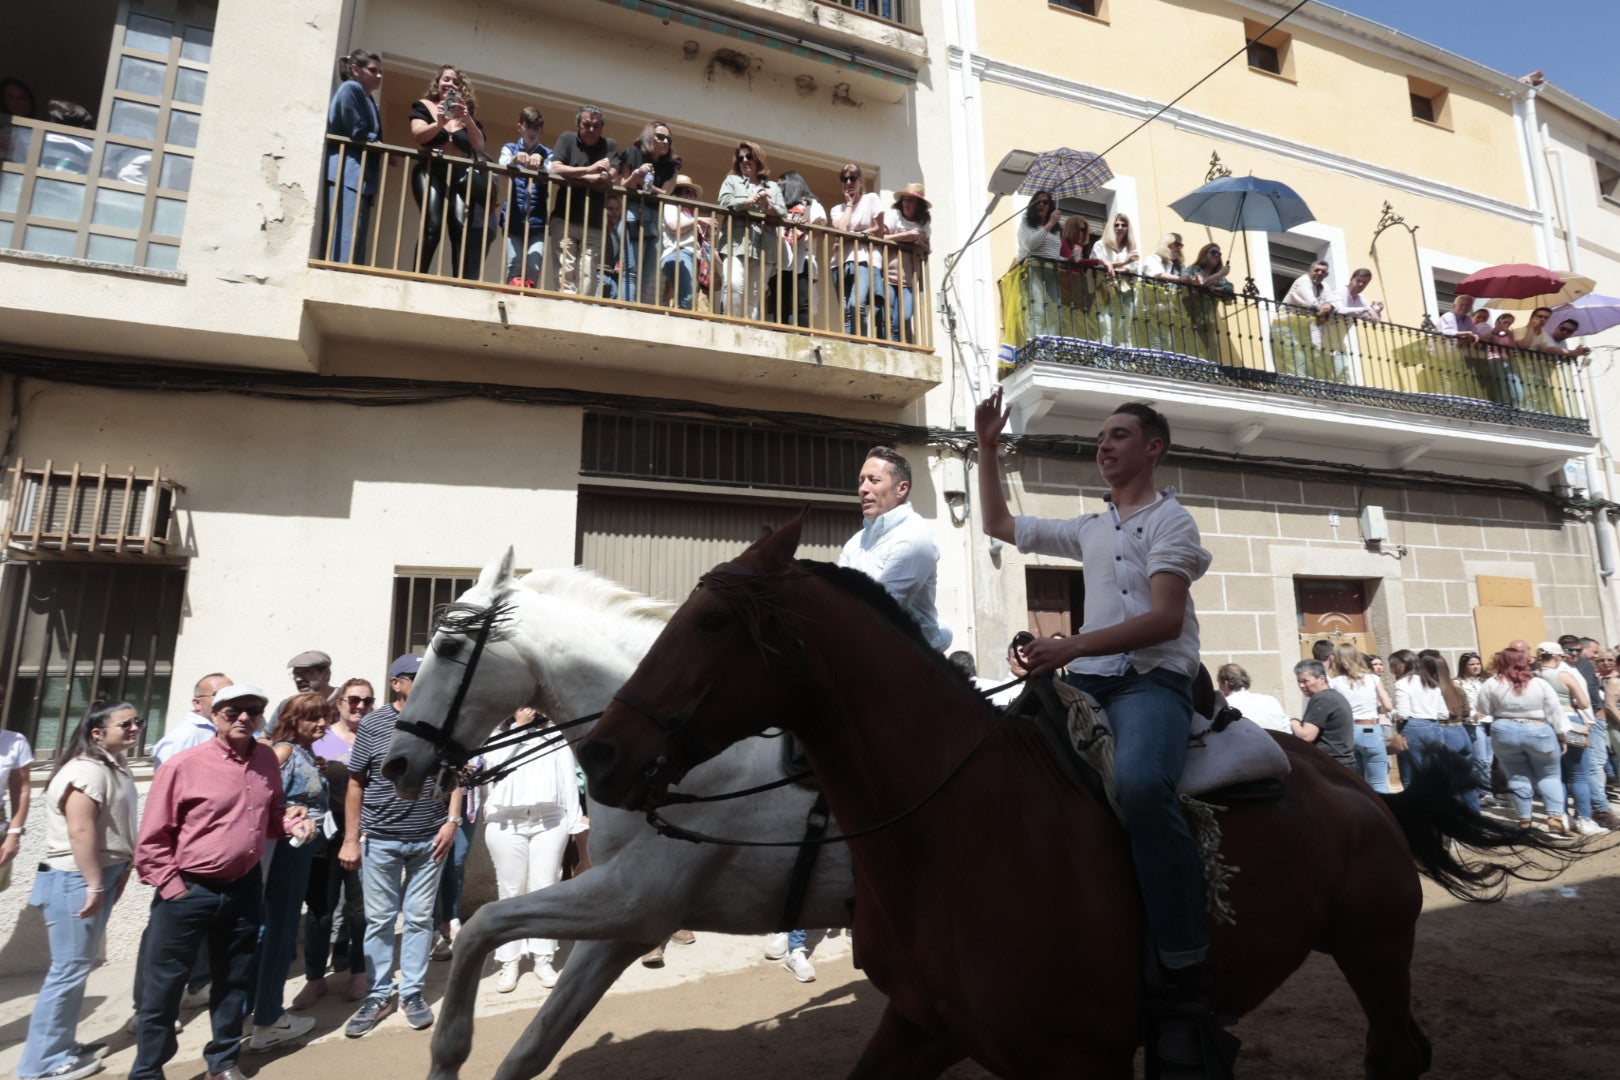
{"x":1080,"y":315}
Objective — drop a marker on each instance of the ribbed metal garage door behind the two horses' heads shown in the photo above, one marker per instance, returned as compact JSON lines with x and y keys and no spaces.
{"x":662,"y":545}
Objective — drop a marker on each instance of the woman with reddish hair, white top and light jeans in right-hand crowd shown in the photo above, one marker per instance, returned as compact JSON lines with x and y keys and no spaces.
{"x":1527,"y":736}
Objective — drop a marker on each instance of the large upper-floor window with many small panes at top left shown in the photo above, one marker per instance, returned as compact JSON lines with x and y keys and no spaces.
{"x":116,"y":189}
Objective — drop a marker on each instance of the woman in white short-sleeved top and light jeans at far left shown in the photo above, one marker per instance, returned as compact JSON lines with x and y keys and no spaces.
{"x":90,"y":844}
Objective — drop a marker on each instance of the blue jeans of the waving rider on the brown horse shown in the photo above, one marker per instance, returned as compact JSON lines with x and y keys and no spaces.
{"x":1151,"y":715}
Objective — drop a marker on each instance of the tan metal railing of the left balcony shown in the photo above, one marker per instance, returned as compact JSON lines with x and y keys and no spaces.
{"x":438,"y":218}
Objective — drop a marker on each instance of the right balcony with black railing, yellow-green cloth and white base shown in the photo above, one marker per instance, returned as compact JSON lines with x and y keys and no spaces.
{"x":1258,"y":376}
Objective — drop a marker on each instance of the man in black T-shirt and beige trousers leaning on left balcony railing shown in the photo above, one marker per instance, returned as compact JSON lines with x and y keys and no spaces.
{"x":587,"y":156}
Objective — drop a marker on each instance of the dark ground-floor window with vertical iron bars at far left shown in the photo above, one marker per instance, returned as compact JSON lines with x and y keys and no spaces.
{"x":79,"y":632}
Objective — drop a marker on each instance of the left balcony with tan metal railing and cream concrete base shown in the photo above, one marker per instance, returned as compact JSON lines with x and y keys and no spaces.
{"x":445,"y":279}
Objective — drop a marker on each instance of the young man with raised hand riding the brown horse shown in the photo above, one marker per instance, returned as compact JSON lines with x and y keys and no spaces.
{"x":1136,"y":655}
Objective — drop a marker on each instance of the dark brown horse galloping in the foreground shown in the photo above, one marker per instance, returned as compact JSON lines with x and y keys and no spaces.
{"x":1021,"y":946}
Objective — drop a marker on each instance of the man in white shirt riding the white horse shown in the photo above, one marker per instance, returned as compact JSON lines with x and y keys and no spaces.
{"x":895,"y":548}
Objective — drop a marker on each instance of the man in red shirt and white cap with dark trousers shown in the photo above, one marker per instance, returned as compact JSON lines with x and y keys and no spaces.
{"x":202,"y":840}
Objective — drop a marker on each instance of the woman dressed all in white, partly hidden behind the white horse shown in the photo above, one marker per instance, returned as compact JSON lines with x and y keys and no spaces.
{"x":529,"y":817}
